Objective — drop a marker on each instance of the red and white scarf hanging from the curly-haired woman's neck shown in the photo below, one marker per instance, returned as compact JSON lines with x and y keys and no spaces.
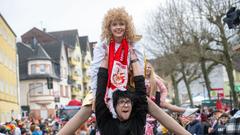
{"x":117,"y":71}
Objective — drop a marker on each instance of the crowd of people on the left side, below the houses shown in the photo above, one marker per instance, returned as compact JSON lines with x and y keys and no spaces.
{"x":48,"y":126}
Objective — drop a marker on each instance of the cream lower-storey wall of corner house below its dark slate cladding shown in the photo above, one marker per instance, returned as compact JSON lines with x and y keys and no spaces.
{"x":40,"y":103}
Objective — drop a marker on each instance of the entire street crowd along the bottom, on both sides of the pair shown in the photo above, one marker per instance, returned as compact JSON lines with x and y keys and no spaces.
{"x":206,"y":121}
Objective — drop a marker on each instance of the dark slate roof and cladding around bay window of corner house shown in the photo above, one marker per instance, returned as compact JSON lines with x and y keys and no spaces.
{"x":36,"y":51}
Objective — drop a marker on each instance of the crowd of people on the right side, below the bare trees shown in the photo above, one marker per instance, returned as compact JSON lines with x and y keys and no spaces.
{"x":207,"y":121}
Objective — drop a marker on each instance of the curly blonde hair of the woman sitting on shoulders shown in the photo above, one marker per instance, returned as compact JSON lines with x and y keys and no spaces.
{"x":118,"y":14}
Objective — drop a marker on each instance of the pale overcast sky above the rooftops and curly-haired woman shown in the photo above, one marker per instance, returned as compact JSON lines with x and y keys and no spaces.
{"x":84,"y":15}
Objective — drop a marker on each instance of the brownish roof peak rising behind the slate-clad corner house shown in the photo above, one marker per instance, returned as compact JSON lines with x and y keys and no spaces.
{"x":41,"y":36}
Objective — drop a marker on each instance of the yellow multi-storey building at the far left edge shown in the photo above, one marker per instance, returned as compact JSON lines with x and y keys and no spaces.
{"x":9,"y":93}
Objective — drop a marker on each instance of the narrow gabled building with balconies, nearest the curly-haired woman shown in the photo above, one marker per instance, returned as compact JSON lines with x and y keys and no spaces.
{"x":87,"y":58}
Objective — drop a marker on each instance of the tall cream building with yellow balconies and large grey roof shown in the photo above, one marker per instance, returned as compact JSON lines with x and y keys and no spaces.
{"x":73,"y":49}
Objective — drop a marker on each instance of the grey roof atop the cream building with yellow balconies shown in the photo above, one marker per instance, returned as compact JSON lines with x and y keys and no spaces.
{"x":68,"y":36}
